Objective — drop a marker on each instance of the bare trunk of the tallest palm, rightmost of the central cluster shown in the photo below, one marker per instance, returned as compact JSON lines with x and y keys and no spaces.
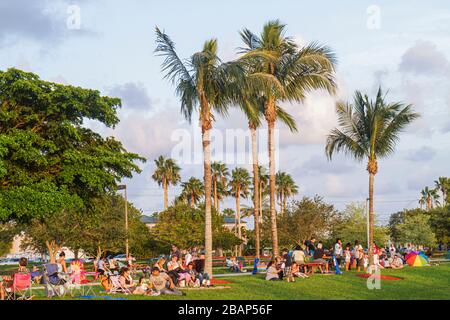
{"x":273,"y":214}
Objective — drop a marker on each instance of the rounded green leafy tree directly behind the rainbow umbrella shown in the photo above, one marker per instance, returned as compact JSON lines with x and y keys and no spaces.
{"x":416,"y":229}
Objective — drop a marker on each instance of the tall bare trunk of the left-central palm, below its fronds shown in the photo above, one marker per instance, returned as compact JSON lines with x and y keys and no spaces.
{"x":208,"y":222}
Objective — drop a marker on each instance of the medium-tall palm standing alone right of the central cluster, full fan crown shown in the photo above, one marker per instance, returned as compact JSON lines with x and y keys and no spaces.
{"x":369,"y":130}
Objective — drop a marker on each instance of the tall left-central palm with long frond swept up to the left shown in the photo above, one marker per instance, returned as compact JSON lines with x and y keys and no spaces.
{"x":201,"y":84}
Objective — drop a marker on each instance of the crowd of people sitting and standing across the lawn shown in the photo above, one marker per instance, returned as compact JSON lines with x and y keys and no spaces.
{"x":185,"y":268}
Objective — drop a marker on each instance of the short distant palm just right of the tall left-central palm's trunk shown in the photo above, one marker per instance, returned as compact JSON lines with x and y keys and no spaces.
{"x":239,"y":187}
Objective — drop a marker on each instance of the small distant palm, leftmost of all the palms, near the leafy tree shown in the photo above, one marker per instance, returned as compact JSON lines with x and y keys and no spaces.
{"x":167,"y":173}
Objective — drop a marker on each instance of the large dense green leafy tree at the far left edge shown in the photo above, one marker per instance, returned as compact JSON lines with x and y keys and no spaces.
{"x":49,"y":161}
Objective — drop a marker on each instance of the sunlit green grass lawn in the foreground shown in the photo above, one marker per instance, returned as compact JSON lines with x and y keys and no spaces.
{"x":418,"y":283}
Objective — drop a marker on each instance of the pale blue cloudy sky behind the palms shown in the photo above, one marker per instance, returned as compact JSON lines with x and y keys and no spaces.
{"x":108,"y":45}
